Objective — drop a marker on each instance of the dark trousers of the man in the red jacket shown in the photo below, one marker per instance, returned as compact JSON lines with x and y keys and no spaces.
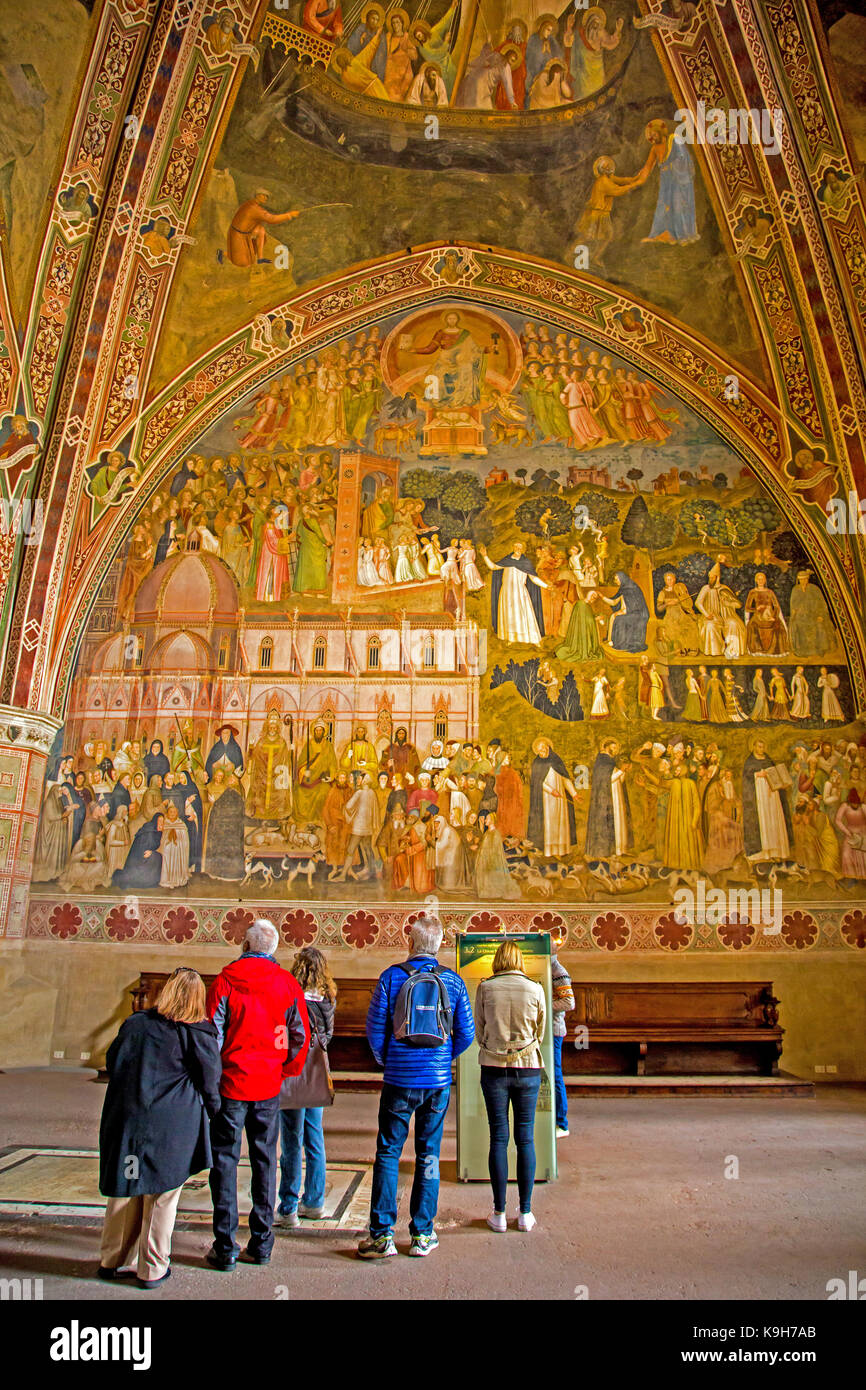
{"x":259,"y":1120}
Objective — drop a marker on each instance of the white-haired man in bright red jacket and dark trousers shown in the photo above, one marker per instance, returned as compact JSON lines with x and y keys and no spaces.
{"x":265,"y":1035}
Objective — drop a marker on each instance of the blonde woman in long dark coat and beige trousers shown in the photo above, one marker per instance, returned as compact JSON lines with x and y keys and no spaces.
{"x":155,"y":1134}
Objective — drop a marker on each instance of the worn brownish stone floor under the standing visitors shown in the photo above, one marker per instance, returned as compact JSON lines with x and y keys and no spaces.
{"x":643,"y":1209}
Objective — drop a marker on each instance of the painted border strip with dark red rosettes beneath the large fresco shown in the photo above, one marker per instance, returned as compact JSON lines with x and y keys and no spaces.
{"x":589,"y":929}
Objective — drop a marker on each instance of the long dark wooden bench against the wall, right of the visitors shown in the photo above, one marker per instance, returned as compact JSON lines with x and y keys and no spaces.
{"x":696,"y":1028}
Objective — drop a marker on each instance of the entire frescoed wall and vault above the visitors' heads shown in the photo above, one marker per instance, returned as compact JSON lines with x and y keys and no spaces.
{"x":441,"y":479}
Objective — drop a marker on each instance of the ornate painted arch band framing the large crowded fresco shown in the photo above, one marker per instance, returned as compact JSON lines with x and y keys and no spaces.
{"x":736,"y":407}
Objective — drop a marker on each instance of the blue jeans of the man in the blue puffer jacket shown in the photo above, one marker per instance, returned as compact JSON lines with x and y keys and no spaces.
{"x":397,"y":1109}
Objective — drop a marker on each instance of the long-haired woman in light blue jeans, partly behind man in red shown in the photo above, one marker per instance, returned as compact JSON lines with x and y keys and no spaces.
{"x":302,"y":1128}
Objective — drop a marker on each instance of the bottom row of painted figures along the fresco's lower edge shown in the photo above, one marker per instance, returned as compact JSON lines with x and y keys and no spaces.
{"x":457,"y":819}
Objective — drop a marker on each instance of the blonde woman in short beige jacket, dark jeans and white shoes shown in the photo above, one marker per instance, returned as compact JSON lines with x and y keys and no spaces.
{"x":509,"y":1028}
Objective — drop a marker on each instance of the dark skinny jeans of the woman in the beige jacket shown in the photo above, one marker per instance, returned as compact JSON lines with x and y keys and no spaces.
{"x":521,"y":1086}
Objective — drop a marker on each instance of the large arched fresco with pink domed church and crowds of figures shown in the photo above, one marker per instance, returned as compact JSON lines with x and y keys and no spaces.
{"x":461,"y":605}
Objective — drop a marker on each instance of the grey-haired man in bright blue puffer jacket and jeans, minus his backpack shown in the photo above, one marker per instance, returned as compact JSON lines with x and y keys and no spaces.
{"x":416,"y":1082}
